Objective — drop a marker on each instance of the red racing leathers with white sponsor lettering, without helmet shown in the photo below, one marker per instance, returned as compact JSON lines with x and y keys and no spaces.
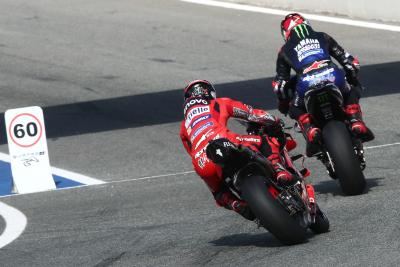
{"x":205,"y":120}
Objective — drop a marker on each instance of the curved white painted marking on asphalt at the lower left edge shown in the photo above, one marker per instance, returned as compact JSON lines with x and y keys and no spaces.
{"x":15,"y":224}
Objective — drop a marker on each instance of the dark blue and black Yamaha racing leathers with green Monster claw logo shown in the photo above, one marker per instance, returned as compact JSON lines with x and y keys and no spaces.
{"x":309,"y":54}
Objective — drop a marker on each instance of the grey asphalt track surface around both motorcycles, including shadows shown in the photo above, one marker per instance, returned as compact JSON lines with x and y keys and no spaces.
{"x":109,"y":76}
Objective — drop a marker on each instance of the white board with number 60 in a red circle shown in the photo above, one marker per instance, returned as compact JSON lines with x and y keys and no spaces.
{"x":27,"y":145}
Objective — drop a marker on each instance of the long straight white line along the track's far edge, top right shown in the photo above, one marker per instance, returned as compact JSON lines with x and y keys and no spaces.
{"x":343,"y":21}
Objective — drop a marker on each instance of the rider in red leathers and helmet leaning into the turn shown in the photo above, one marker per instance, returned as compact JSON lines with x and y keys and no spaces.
{"x":205,"y":119}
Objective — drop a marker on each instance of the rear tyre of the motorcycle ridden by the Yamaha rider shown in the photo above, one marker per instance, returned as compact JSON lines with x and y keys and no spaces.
{"x":346,"y":164}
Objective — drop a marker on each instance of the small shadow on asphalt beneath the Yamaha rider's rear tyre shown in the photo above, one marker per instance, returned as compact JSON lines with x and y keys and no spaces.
{"x":332,"y":186}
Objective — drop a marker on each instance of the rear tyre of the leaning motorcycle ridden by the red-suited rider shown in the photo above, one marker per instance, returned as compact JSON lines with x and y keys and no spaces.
{"x":270,"y":212}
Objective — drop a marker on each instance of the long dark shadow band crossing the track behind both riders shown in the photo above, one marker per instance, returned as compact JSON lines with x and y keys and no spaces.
{"x":166,"y":107}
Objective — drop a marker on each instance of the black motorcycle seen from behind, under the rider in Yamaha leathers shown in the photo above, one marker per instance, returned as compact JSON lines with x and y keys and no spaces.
{"x":340,"y":151}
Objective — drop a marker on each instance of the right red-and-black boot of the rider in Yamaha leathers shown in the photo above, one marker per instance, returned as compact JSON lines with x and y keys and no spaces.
{"x":358,"y":127}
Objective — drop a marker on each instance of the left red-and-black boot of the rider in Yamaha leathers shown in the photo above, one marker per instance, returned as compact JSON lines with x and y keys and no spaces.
{"x":311,"y":133}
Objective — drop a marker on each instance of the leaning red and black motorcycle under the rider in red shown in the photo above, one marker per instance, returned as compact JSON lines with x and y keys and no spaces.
{"x":286,"y":211}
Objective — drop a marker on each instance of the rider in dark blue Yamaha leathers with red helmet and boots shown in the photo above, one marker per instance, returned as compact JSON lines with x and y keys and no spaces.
{"x":309,"y":53}
